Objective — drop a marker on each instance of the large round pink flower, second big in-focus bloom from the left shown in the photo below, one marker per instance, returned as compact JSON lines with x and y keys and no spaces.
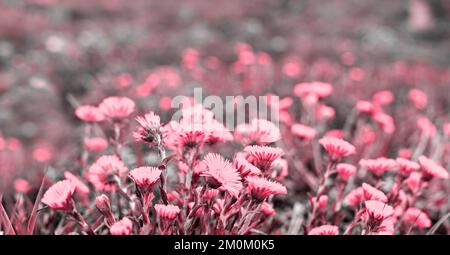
{"x":101,"y":173}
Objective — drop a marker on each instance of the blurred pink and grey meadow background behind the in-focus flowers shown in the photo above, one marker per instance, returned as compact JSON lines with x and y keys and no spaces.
{"x":55,"y":55}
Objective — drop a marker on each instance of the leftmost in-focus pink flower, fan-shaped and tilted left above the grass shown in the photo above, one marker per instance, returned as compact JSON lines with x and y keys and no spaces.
{"x":59,"y":196}
